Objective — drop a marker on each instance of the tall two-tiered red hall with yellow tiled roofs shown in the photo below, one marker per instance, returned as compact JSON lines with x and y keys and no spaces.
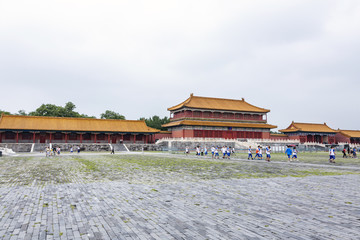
{"x":207,"y":117}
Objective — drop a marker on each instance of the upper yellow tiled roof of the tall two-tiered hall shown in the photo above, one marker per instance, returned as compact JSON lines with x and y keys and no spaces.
{"x":218,"y":104}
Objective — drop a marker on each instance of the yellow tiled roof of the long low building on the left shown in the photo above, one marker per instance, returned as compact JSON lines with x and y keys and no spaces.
{"x":73,"y":124}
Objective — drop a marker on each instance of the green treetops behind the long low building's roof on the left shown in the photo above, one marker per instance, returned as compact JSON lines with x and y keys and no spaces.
{"x":51,"y":110}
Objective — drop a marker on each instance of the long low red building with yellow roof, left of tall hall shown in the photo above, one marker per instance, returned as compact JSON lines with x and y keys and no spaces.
{"x":29,"y":129}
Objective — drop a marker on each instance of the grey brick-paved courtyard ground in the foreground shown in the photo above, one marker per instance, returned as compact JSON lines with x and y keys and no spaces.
{"x":178,"y":206}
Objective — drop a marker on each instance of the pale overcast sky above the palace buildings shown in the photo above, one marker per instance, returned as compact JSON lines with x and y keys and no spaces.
{"x":300,"y":59}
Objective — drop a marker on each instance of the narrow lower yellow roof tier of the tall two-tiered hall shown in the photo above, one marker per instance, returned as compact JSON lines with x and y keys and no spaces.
{"x":219,"y":124}
